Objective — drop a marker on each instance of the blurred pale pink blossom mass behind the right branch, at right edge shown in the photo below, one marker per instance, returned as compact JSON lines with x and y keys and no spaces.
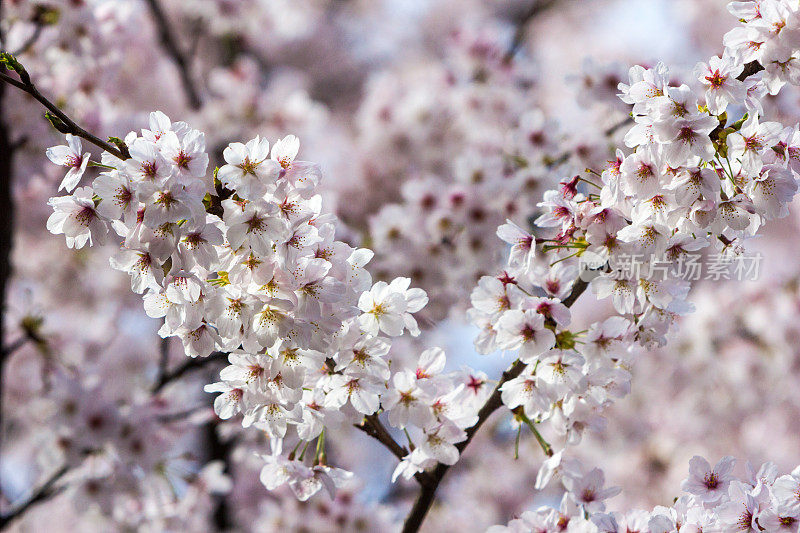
{"x":744,"y":360}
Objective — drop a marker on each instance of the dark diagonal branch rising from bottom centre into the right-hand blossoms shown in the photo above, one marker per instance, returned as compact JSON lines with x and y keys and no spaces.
{"x":428,"y":491}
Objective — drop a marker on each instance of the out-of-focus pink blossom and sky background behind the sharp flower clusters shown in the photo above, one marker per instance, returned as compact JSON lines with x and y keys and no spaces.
{"x":411,"y":107}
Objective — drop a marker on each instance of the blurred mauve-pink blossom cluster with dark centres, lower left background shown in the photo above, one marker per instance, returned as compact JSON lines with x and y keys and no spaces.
{"x":123,"y":453}
